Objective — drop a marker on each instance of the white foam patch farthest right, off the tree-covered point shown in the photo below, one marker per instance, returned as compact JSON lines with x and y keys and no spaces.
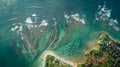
{"x":104,"y":15}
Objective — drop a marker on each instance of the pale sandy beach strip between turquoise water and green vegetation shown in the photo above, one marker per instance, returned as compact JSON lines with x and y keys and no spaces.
{"x":73,"y":64}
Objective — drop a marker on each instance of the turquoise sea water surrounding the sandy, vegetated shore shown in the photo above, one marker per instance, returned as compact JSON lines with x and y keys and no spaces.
{"x":69,"y":38}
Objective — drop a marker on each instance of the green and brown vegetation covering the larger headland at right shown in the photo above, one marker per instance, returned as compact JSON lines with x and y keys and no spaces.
{"x":107,"y":55}
